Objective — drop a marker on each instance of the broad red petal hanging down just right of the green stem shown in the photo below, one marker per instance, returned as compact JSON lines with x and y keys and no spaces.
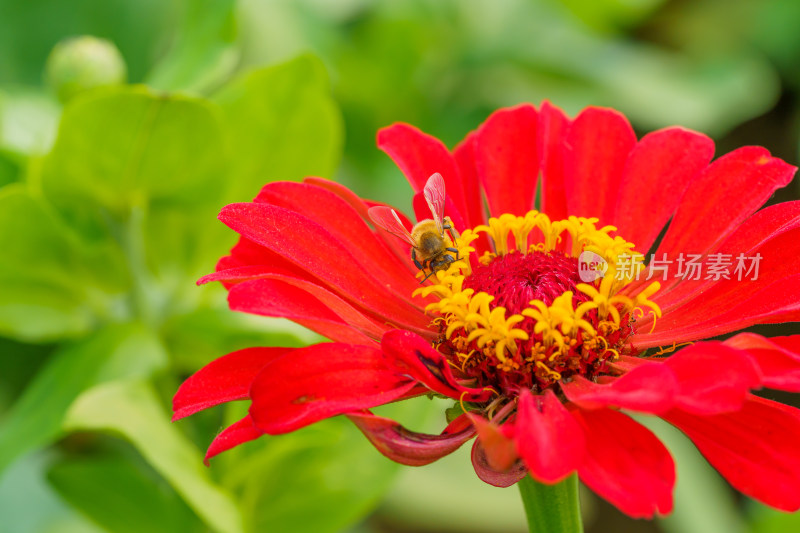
{"x":626,"y":464}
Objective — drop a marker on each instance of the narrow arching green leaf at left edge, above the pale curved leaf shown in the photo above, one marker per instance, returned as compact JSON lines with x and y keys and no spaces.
{"x":36,"y":418}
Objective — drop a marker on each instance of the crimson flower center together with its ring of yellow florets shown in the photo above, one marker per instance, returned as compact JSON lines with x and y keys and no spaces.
{"x":520,"y":317}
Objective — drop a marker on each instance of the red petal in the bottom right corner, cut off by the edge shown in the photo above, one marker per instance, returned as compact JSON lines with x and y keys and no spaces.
{"x":754,"y":448}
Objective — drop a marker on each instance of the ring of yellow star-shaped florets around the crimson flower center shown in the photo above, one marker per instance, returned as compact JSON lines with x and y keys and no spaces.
{"x":563,"y":323}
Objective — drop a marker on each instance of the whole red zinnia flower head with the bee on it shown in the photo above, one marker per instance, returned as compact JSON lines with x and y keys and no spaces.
{"x":543,"y":325}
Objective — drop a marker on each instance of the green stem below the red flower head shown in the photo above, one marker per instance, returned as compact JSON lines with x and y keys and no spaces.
{"x":552,"y":508}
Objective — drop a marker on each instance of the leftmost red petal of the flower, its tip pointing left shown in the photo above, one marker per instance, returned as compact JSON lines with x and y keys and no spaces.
{"x":223,"y":380}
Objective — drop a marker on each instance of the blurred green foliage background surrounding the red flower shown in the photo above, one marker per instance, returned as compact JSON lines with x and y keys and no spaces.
{"x":117,"y":152}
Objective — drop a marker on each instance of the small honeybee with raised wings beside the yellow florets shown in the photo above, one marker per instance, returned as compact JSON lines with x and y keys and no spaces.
{"x":430,"y":247}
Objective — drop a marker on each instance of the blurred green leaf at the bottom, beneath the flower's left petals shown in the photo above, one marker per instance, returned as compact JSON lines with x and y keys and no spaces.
{"x":329,"y":467}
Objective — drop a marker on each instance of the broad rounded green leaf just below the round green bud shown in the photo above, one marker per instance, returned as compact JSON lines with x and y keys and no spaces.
{"x":125,"y":147}
